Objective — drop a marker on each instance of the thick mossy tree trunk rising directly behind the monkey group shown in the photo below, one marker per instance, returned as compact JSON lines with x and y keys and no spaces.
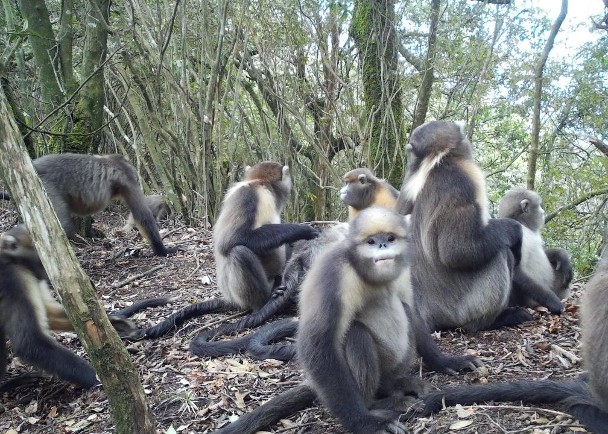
{"x":373,"y":31}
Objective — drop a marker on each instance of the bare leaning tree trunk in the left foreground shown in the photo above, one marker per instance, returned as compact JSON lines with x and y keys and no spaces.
{"x":109,"y":357}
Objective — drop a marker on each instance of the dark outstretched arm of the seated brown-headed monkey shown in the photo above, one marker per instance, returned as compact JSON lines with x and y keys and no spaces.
{"x":271,"y":236}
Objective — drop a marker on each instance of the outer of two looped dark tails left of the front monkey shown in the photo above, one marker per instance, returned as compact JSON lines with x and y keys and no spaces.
{"x":202,"y":346}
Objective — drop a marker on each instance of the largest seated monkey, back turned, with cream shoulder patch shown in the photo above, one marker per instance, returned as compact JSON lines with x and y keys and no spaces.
{"x":462,"y":259}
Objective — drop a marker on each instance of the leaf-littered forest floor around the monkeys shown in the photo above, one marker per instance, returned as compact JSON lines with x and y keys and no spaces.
{"x":195,"y":395}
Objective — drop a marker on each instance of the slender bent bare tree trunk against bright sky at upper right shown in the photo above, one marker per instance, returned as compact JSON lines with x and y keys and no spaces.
{"x":538,"y":92}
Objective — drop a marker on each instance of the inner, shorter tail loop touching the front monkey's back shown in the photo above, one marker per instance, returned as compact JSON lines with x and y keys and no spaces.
{"x":261,"y":345}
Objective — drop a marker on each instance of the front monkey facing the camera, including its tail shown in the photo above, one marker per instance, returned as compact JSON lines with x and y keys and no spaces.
{"x":354,"y":337}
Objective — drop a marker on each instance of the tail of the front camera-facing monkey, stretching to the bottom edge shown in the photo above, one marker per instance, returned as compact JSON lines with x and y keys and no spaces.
{"x":279,"y":407}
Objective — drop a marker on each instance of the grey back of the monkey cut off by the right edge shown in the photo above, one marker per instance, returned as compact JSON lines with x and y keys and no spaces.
{"x":595,"y":331}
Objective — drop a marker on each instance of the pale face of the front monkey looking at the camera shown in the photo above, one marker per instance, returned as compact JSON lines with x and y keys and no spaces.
{"x":380,"y":258}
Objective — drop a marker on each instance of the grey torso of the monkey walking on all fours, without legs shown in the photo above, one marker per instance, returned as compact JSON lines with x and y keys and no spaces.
{"x":86,"y":182}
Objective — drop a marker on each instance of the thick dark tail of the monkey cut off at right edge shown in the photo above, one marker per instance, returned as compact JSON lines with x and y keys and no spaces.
{"x":575,"y":395}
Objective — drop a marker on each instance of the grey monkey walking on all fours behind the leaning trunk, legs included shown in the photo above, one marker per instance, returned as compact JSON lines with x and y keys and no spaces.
{"x":86,"y":184}
